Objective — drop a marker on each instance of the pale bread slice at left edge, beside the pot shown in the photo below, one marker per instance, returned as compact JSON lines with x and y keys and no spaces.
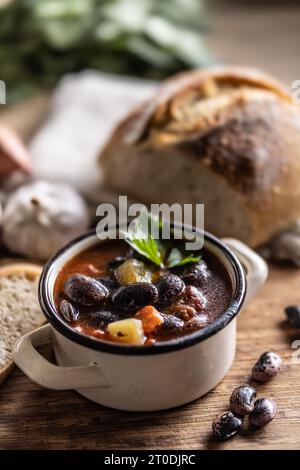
{"x":19,"y":308}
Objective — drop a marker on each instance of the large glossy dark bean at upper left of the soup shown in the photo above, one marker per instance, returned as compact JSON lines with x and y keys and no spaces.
{"x":84,"y":290}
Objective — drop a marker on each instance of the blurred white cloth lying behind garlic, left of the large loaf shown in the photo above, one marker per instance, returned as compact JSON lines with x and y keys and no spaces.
{"x":85,"y":108}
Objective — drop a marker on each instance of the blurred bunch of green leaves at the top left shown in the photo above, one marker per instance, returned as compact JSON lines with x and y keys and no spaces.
{"x":40,"y":40}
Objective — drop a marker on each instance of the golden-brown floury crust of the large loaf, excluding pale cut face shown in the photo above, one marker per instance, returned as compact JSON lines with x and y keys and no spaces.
{"x":237,"y":121}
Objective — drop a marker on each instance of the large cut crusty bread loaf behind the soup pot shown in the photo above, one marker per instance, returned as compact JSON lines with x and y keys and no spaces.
{"x":228,"y":137}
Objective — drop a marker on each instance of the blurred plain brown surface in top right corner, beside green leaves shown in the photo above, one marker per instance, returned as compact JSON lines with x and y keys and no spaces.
{"x":260,"y":33}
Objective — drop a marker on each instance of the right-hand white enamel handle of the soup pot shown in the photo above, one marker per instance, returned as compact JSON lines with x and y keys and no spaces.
{"x":256,"y":268}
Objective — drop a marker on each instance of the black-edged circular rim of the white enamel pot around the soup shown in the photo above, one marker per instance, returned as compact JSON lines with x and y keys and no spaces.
{"x":181,"y":342}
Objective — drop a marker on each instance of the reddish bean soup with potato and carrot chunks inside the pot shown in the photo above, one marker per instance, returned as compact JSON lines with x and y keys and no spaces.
{"x":112,"y":293}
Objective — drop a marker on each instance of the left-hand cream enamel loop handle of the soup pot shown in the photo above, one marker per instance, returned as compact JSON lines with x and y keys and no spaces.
{"x":48,"y":375}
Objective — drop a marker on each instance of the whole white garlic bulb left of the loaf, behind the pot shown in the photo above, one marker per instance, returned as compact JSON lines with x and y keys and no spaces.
{"x":41,"y":217}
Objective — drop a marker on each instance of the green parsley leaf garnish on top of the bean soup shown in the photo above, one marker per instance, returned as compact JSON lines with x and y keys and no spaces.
{"x":138,"y":236}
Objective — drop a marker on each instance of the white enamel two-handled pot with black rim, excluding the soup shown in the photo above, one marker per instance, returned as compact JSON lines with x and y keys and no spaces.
{"x":140,"y":378}
